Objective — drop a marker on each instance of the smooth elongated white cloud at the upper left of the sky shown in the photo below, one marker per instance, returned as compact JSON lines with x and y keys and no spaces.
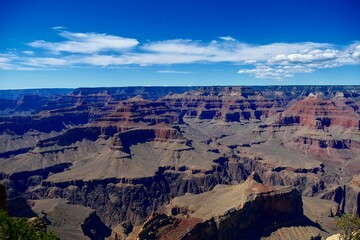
{"x":87,"y":43}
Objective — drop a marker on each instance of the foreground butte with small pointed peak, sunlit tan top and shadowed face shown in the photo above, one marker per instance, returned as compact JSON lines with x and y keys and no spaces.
{"x":226,"y":212}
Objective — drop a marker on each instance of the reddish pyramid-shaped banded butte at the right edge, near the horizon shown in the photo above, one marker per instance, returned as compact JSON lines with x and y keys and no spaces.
{"x":324,"y":128}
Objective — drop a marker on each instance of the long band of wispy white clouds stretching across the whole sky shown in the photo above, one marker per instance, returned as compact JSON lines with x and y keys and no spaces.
{"x":268,"y":61}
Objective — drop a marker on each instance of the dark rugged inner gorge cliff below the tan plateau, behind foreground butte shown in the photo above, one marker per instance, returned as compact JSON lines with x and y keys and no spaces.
{"x":117,"y":200}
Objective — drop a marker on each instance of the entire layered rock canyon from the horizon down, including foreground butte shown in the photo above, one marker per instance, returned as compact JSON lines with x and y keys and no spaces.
{"x":182,"y":162}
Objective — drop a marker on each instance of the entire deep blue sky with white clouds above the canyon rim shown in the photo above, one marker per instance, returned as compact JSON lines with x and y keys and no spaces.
{"x":73,"y":43}
